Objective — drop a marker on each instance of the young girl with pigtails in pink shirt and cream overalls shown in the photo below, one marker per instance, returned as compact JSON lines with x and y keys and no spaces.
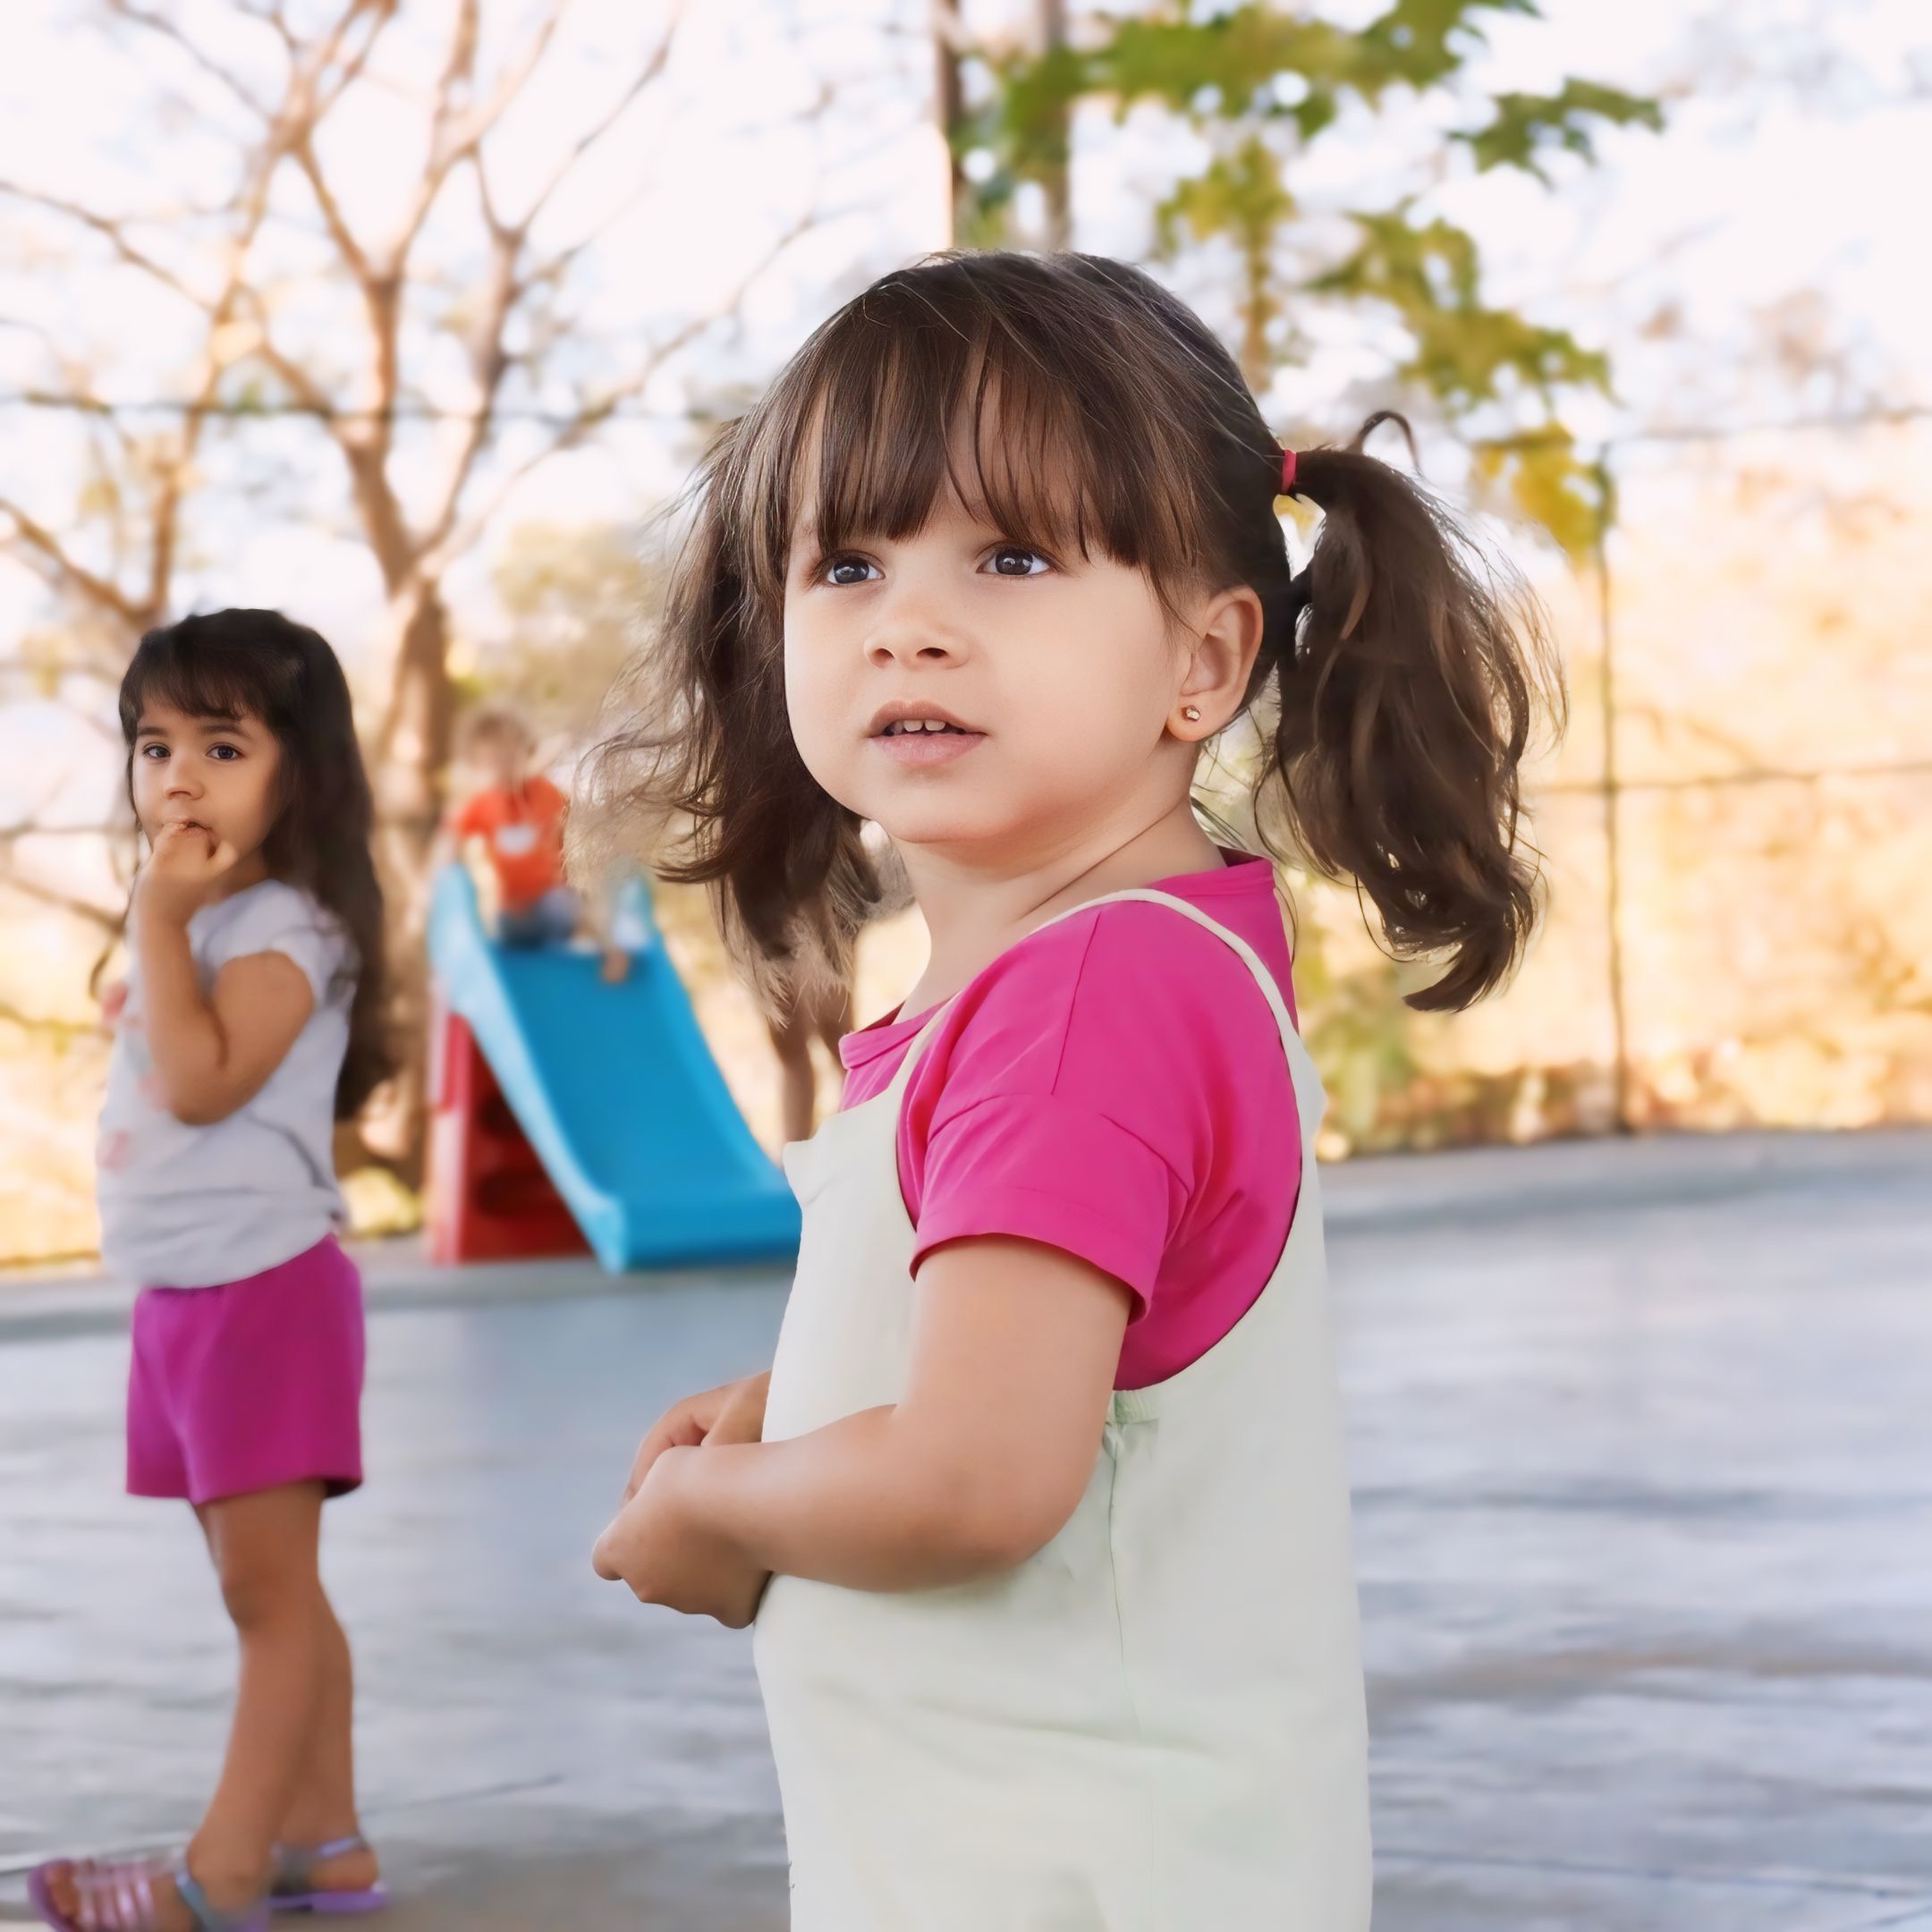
{"x":1042,"y":1508}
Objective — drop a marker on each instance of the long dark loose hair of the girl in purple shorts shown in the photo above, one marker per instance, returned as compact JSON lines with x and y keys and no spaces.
{"x":258,"y":664}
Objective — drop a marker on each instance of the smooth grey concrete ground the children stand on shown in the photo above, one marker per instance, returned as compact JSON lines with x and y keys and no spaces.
{"x":1643,"y":1454}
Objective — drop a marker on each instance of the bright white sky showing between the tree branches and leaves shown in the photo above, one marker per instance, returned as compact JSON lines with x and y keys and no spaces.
{"x":1763,"y":192}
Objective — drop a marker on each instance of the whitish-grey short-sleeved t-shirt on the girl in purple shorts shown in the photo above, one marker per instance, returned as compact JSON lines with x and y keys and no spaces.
{"x":192,"y":1207}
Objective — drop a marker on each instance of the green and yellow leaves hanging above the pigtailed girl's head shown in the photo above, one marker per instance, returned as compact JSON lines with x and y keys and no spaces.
{"x":1259,"y":88}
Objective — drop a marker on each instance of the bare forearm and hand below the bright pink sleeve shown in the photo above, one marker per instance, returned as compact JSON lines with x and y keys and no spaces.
{"x":1013,"y":1359}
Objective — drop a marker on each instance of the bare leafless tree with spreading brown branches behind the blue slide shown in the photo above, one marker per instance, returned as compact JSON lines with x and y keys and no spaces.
{"x":503,"y":316}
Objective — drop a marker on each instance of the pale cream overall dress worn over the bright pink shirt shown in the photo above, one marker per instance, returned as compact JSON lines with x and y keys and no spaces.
{"x":1156,"y":1722}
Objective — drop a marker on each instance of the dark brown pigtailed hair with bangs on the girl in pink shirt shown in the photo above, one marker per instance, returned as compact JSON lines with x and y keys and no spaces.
{"x":1398,"y":677}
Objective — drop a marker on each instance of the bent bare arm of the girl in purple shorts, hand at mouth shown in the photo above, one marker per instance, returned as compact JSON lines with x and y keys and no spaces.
{"x":212,"y":1054}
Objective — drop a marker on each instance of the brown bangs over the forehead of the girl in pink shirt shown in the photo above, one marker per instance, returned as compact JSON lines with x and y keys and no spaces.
{"x":1042,"y":414}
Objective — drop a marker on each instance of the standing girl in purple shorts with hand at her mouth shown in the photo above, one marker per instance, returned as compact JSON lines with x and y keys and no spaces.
{"x":248,"y":1025}
